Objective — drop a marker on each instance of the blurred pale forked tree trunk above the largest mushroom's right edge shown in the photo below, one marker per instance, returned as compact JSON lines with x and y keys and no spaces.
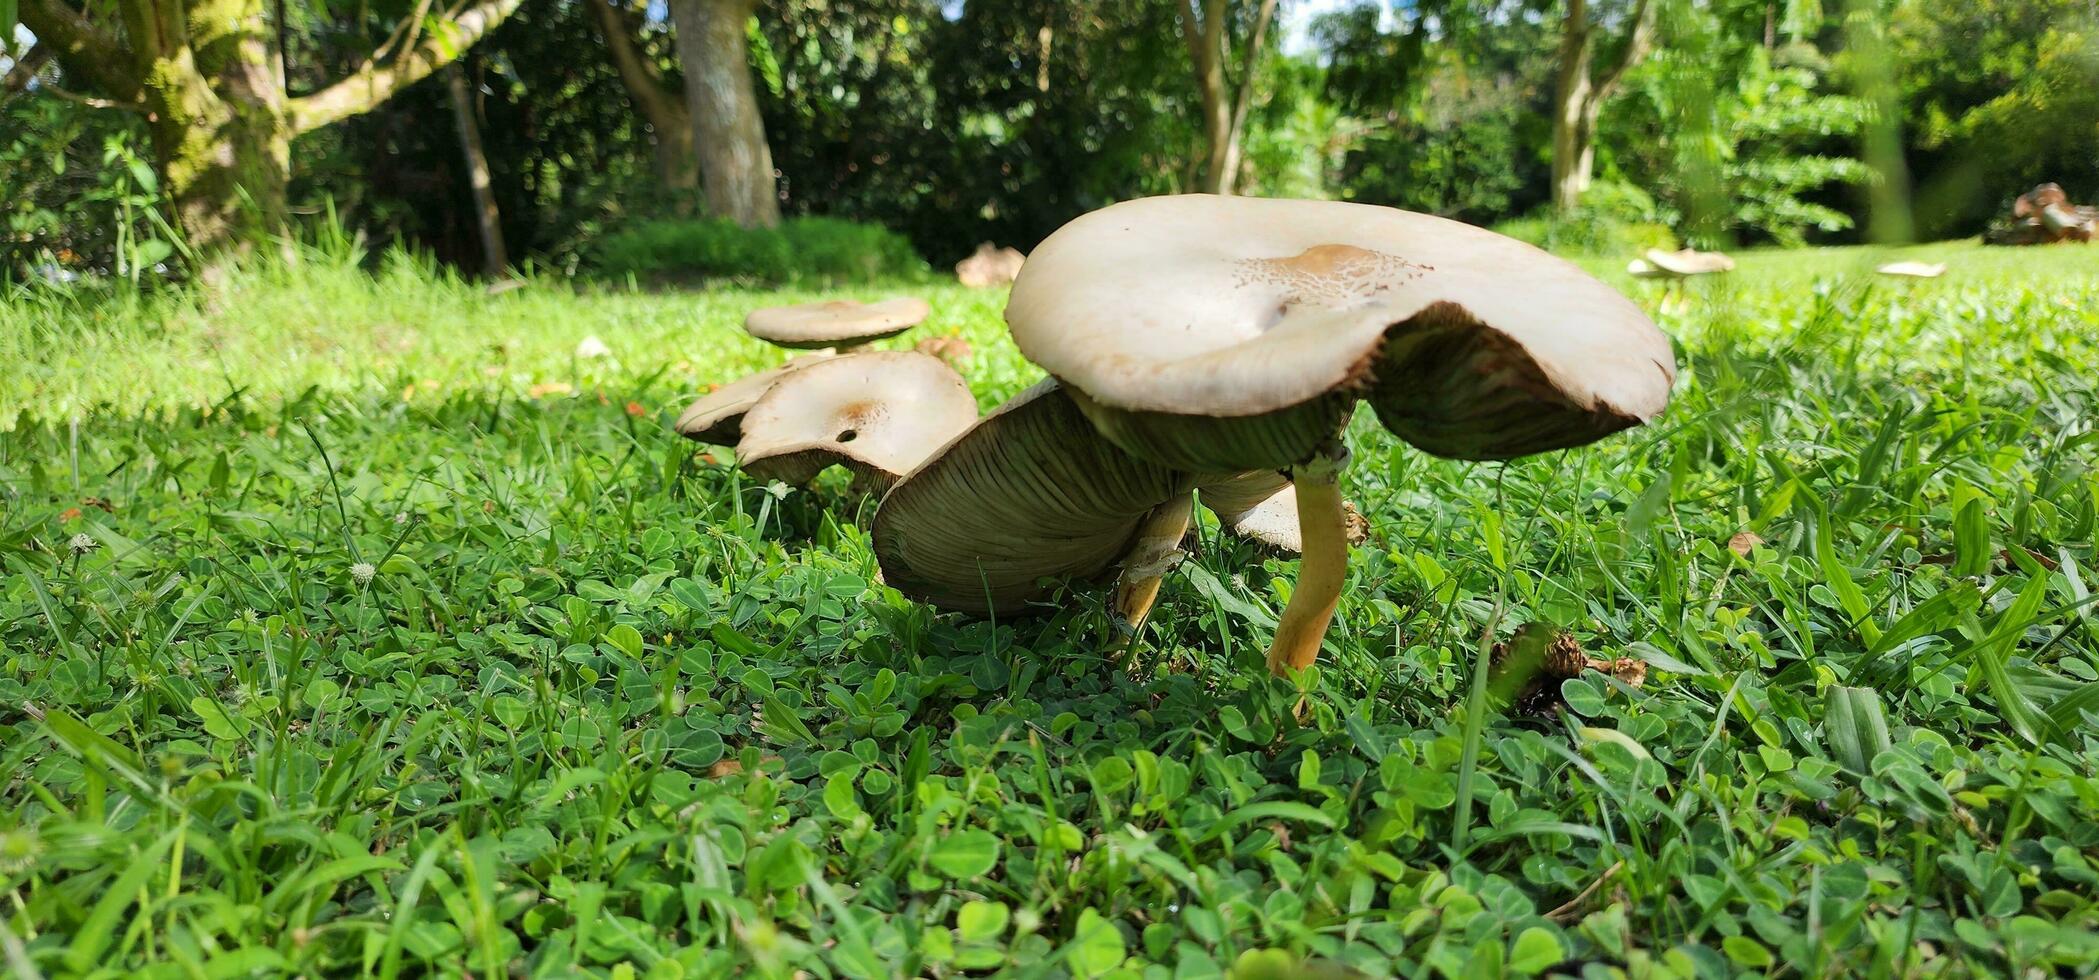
{"x":1596,"y":49}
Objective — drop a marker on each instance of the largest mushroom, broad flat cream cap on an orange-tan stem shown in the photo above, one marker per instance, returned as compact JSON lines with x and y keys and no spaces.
{"x":1229,"y":335}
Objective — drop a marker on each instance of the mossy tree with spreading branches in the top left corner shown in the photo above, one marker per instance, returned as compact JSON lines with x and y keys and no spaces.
{"x":211,"y":81}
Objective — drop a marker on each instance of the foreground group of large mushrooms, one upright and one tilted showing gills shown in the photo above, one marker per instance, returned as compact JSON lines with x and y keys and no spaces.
{"x":1214,"y":349}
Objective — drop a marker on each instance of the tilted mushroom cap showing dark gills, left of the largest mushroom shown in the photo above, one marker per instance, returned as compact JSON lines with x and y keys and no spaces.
{"x":1027,"y":494}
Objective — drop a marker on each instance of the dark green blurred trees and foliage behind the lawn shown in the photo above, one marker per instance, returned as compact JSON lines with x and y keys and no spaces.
{"x":950,"y":123}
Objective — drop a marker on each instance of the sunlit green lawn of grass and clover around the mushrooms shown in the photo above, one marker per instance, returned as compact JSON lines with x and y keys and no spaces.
{"x":226,"y":750}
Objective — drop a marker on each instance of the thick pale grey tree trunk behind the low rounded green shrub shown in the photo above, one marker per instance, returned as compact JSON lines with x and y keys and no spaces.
{"x":736,"y":165}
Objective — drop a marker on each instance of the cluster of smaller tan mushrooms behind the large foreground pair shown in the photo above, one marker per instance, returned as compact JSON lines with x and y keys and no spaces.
{"x":874,"y":412}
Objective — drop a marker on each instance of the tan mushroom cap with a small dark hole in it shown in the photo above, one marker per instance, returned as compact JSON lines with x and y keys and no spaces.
{"x":878,"y":414}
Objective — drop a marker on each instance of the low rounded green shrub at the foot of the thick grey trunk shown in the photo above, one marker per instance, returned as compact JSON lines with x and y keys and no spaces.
{"x":715,"y":249}
